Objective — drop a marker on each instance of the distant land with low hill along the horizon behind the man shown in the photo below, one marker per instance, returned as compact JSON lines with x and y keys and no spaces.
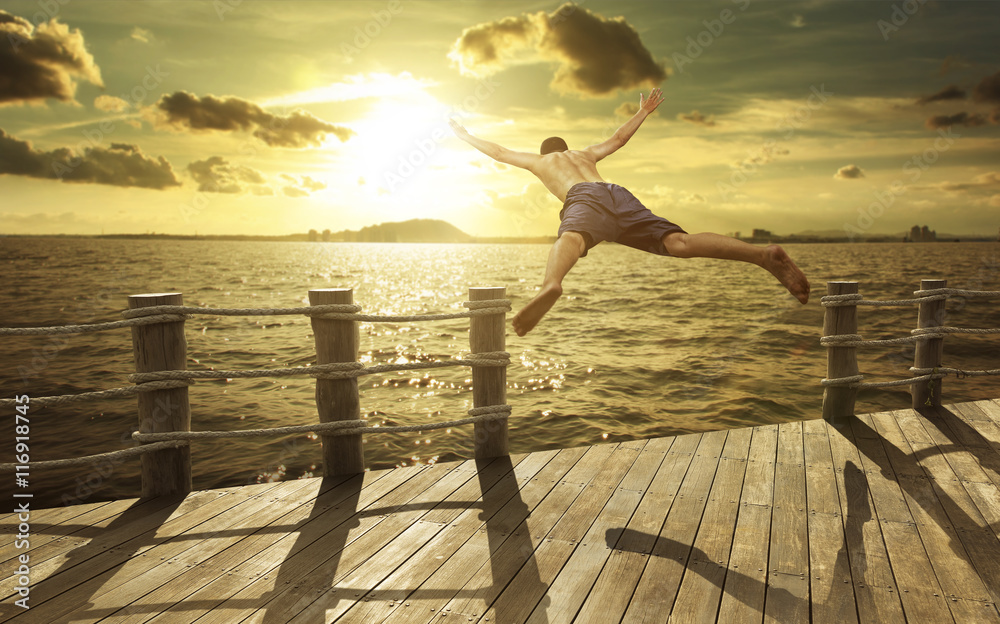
{"x":438,"y":231}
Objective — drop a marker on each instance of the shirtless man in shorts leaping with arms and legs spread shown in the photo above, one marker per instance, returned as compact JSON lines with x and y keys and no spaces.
{"x":595,"y":211}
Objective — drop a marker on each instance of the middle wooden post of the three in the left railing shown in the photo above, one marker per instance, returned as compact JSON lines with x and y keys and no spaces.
{"x":337,"y":399}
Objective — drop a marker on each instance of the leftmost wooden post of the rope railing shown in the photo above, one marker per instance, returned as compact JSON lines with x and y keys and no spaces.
{"x":157,"y":347}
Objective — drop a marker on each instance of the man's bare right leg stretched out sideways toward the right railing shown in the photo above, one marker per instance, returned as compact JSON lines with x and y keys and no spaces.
{"x":772,"y":258}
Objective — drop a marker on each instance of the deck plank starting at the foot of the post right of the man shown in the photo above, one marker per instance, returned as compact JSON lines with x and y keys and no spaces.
{"x":874,"y":585}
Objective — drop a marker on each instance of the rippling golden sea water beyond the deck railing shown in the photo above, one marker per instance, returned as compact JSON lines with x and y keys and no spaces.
{"x":640,"y":346}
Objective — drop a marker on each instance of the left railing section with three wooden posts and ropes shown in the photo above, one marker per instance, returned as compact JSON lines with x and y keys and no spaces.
{"x":162,"y":377}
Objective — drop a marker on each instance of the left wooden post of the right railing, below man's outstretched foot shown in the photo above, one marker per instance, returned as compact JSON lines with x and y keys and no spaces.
{"x":838,"y":401}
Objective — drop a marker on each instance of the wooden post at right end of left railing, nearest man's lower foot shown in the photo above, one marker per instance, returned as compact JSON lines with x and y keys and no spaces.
{"x":489,"y":383}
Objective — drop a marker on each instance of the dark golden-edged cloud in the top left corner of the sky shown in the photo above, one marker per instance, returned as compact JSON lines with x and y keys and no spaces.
{"x":42,"y":62}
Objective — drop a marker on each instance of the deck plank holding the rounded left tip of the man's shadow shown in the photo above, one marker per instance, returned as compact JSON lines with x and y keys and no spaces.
{"x":620,"y":575}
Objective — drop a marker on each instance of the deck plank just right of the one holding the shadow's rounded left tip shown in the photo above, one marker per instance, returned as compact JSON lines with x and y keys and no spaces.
{"x":654,"y":594}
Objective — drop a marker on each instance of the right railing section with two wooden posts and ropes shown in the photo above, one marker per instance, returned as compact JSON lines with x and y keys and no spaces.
{"x":842,"y":341}
